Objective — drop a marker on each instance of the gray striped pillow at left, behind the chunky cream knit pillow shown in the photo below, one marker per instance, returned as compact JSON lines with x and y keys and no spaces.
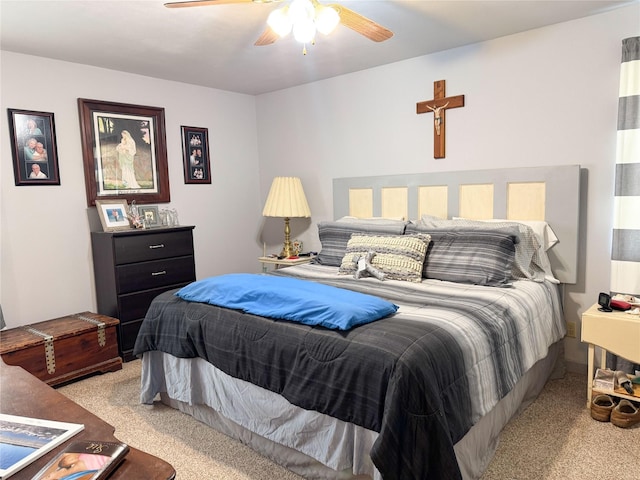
{"x":334,"y":237}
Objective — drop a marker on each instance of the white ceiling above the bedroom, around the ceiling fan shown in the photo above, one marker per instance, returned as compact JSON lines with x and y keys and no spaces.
{"x":213,"y":46}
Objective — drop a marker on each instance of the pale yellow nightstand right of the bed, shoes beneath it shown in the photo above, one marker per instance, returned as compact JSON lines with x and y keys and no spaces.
{"x":616,"y":332}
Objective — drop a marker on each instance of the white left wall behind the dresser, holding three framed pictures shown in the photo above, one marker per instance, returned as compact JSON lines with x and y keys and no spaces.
{"x":46,"y":265}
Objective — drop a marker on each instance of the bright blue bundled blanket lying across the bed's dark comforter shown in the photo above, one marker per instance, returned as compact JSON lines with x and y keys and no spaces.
{"x":291,"y":299}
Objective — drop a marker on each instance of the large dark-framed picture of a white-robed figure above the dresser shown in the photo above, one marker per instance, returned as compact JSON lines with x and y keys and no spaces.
{"x":125,"y":152}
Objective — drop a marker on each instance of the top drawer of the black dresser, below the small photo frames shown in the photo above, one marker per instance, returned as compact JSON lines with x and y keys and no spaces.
{"x":141,"y":248}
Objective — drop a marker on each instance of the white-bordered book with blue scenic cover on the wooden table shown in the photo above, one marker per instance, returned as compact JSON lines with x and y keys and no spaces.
{"x":24,"y":439}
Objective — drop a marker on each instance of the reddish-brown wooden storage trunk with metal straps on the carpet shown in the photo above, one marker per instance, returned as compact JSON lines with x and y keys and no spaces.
{"x":63,"y":349}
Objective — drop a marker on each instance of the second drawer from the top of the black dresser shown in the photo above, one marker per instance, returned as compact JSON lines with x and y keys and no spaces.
{"x":158,"y":273}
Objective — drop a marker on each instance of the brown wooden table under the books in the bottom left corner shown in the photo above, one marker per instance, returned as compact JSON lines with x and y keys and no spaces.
{"x":23,"y":394}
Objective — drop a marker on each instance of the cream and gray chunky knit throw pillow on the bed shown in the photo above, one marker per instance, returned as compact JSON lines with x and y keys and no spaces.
{"x":399,"y":257}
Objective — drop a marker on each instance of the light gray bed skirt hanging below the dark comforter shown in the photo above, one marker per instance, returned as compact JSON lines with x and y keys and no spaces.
{"x":322,"y":447}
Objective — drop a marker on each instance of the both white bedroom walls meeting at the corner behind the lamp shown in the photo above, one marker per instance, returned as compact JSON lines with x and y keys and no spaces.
{"x":544,"y":97}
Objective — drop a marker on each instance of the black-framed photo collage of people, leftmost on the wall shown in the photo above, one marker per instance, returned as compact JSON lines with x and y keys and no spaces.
{"x":33,"y":145}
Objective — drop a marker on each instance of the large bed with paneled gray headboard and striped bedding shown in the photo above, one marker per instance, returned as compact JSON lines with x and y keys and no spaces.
{"x":422,"y":393}
